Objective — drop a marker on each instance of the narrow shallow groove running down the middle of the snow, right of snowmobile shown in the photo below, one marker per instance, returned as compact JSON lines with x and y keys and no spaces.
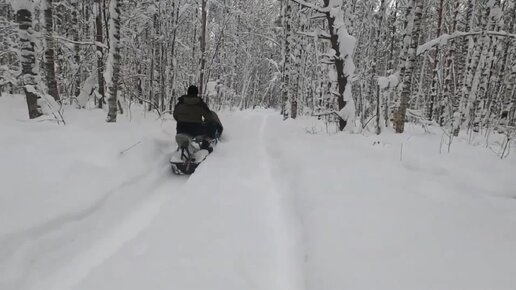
{"x":290,"y":253}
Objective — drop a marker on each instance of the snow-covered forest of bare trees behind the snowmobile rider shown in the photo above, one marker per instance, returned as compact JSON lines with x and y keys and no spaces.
{"x":366,"y":64}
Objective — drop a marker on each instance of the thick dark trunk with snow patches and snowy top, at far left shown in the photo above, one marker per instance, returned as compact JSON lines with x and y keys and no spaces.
{"x":28,"y":61}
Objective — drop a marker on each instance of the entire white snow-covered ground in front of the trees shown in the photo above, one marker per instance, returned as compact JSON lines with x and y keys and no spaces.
{"x":92,"y":205}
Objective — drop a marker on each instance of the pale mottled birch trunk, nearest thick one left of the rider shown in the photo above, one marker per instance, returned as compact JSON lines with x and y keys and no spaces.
{"x":113,"y":59}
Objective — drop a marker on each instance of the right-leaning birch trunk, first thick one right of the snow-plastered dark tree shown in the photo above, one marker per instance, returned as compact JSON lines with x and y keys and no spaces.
{"x":399,"y":116}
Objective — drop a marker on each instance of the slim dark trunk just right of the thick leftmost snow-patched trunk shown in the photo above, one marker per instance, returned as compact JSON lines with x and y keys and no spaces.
{"x":49,"y":52}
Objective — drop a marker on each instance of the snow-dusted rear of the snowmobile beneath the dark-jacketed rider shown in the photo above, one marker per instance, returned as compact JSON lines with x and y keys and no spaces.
{"x":191,"y":151}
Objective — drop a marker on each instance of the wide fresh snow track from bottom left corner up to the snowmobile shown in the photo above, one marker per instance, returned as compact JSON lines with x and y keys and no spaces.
{"x":33,"y":259}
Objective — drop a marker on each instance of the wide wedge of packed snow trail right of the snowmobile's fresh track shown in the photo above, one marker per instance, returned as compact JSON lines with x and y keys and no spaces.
{"x":226,"y":229}
